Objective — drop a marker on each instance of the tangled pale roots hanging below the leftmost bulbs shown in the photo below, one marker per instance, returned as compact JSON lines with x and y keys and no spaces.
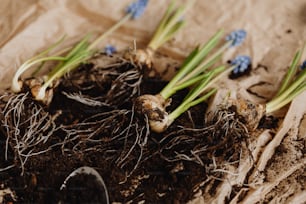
{"x":27,"y":127}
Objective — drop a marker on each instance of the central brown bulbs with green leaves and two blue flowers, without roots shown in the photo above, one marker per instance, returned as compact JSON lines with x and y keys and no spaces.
{"x":195,"y":71}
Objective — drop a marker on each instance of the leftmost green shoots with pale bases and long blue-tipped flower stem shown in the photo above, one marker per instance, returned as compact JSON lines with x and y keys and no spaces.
{"x":78,"y":54}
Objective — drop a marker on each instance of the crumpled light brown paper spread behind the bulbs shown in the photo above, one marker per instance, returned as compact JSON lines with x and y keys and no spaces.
{"x":275,"y":31}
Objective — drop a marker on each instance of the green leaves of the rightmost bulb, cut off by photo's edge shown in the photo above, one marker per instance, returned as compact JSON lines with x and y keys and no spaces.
{"x":293,"y":84}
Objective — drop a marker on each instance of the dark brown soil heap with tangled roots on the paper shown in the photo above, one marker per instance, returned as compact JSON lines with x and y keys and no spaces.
{"x":109,"y":136}
